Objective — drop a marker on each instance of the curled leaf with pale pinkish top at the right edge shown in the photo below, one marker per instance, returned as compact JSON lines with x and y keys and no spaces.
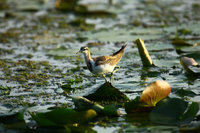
{"x":190,"y":65}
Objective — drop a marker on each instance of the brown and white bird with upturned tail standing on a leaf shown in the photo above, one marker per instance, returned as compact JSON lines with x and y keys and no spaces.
{"x":103,"y":64}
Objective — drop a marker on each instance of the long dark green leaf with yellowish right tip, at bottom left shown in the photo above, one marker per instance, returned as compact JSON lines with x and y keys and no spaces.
{"x":62,"y":117}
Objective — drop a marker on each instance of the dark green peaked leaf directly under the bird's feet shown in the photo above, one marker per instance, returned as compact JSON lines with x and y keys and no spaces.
{"x":107,"y":93}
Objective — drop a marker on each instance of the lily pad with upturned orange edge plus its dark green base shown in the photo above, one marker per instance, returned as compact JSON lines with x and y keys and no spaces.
{"x":152,"y":94}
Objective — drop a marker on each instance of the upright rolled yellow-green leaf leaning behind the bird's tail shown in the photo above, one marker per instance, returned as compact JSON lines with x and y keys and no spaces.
{"x":144,"y":54}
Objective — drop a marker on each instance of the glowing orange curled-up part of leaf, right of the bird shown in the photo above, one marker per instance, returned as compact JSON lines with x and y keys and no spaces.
{"x":155,"y":92}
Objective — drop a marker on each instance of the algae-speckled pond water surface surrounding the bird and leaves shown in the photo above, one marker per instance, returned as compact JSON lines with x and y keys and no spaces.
{"x":38,"y":46}
